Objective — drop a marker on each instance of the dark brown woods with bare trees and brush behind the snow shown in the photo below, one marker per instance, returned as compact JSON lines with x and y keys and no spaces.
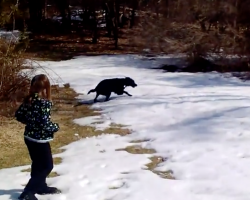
{"x":196,"y":26}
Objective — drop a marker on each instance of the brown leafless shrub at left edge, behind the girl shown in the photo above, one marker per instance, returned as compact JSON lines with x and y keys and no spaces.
{"x":13,"y":82}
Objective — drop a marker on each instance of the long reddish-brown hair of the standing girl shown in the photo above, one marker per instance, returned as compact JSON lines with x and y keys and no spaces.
{"x":40,"y":84}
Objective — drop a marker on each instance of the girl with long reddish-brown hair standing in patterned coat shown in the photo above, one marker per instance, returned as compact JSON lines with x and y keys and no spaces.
{"x":34,"y":112}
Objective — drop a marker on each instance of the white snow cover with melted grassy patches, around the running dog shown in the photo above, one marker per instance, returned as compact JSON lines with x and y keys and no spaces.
{"x":198,"y":122}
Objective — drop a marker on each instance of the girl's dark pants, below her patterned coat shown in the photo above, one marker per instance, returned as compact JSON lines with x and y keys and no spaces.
{"x":42,"y":165}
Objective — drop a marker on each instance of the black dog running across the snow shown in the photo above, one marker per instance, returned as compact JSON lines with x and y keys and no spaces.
{"x":116,"y":85}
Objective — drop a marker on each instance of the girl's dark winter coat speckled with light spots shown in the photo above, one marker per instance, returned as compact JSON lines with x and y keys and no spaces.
{"x":36,"y":117}
